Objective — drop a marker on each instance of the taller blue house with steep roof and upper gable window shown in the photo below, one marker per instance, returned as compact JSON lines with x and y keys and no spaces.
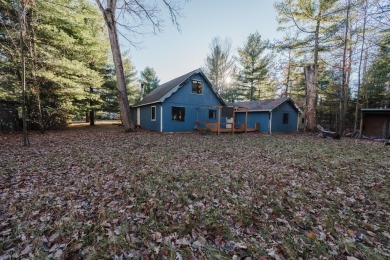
{"x":177,"y":106}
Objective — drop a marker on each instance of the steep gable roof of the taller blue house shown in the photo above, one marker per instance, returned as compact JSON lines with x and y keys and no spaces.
{"x":165,"y":90}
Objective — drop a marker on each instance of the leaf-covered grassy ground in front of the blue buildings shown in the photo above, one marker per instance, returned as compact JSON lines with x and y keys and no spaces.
{"x":99,"y":192}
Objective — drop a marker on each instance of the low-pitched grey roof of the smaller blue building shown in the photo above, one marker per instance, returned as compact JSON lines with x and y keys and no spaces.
{"x":264,"y":105}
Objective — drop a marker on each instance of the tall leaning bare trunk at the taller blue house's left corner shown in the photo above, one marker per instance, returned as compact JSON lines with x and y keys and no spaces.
{"x":109,"y":17}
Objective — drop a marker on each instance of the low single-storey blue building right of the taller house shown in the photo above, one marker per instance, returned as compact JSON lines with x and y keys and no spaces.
{"x":274,"y":115}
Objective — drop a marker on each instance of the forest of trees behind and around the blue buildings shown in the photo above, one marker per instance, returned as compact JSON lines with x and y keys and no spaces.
{"x":341,"y":46}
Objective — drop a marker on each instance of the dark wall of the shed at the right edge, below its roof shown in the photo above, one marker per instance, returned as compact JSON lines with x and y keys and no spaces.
{"x":376,"y":126}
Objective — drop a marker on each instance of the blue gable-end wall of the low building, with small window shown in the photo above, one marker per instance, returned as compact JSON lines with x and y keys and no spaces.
{"x":277,"y":118}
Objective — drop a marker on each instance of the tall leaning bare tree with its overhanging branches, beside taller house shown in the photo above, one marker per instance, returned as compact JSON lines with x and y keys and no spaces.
{"x":139,"y":12}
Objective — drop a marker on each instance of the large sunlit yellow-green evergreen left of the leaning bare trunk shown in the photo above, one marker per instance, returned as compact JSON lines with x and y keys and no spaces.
{"x":71,"y":52}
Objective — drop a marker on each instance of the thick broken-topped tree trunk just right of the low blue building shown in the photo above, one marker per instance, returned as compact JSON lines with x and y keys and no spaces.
{"x":311,"y":97}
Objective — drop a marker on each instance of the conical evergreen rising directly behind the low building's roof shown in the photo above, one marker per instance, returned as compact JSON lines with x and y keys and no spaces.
{"x":253,"y":67}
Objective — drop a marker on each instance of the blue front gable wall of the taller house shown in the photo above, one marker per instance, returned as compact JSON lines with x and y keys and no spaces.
{"x":191,"y":102}
